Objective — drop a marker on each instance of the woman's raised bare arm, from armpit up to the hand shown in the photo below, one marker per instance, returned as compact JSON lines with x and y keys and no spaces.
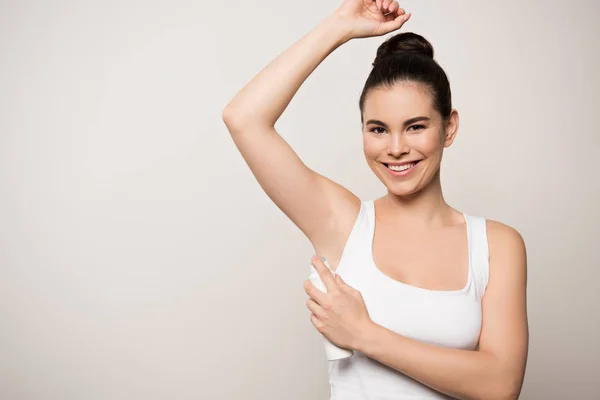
{"x":323,"y":210}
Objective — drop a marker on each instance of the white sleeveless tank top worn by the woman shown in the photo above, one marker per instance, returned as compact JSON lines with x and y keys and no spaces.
{"x":444,"y":318}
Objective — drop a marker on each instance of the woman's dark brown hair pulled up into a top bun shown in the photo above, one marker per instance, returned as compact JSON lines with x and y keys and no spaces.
{"x":408,"y":57}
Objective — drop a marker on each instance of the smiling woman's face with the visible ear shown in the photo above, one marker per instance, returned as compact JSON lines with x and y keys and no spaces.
{"x":402,"y":131}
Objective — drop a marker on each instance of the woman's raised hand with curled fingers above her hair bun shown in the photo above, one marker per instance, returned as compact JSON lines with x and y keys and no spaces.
{"x":366,"y":18}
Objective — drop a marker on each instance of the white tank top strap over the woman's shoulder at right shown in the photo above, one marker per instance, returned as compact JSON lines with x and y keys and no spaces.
{"x":479,"y":253}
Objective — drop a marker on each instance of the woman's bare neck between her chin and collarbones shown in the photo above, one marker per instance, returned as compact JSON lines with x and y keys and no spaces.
{"x":426,"y":208}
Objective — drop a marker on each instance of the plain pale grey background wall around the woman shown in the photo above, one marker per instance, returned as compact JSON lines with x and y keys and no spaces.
{"x":139,"y":258}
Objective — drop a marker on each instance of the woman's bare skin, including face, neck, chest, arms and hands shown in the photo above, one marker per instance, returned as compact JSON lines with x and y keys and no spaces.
{"x":413,"y":212}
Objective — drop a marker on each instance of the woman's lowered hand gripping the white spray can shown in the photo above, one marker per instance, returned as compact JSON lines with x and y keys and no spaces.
{"x":340,"y":314}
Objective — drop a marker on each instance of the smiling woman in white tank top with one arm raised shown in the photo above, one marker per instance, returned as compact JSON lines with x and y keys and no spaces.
{"x":445,"y":291}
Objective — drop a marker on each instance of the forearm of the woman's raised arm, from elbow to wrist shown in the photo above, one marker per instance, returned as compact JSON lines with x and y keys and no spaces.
{"x":267,"y":95}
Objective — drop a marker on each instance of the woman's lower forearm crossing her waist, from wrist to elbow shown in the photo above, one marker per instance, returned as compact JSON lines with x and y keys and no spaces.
{"x":463,"y":374}
